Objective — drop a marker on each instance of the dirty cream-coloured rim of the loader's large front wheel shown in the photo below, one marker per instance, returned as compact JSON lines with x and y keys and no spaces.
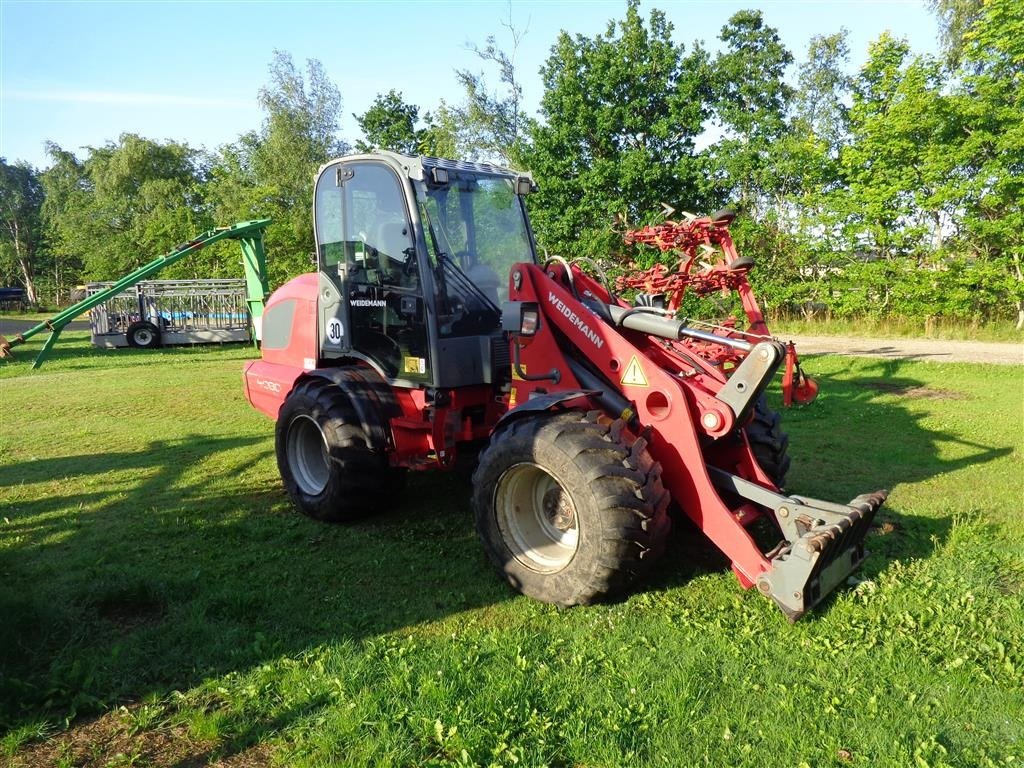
{"x":537,"y":518}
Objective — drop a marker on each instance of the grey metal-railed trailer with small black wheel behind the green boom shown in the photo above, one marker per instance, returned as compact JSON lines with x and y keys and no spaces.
{"x":160,"y":313}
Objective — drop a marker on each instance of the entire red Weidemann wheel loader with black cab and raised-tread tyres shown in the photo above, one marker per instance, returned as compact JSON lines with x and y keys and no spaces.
{"x":431,"y":330}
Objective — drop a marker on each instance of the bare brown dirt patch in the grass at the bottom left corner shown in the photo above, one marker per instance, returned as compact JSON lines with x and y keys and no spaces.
{"x":110,"y":741}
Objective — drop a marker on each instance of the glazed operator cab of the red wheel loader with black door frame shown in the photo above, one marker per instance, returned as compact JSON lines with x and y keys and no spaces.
{"x":414,"y":257}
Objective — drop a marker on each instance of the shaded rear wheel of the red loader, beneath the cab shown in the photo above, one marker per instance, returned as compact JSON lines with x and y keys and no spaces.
{"x":330,"y":468}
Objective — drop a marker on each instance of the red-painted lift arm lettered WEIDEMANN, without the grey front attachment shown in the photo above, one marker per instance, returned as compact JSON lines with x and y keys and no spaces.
{"x":673,"y":398}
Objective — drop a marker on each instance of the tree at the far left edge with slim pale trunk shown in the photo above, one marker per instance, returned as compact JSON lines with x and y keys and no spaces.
{"x":21,"y":207}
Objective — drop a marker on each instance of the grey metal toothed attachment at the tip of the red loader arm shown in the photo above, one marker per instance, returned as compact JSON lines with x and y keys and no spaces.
{"x":825,"y":542}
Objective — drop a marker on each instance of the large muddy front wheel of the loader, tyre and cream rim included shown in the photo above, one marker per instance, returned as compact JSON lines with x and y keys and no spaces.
{"x":570,"y":507}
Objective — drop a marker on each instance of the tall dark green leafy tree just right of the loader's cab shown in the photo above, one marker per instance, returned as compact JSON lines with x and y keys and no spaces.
{"x":620,"y":115}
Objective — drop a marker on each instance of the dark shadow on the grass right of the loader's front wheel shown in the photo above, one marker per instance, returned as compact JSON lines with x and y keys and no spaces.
{"x":865,"y":433}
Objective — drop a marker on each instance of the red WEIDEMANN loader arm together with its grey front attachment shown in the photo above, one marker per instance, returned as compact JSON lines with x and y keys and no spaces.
{"x":694,"y":421}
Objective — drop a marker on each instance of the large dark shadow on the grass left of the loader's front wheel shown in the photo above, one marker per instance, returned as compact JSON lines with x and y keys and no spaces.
{"x":148,"y":578}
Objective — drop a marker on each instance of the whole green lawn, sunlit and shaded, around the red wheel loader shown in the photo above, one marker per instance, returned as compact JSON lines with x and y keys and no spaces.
{"x":162,"y":605}
